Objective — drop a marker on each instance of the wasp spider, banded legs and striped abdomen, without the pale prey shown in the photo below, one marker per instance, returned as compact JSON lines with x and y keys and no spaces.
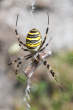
{"x":35,"y":45}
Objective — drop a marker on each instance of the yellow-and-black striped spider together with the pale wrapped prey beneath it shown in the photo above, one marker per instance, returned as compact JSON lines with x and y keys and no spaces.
{"x":35,"y":46}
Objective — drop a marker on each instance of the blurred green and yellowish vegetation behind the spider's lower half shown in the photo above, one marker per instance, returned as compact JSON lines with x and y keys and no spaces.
{"x":44,"y":93}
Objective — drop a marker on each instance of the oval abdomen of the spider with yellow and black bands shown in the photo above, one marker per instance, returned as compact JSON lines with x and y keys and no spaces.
{"x":33,"y":40}
